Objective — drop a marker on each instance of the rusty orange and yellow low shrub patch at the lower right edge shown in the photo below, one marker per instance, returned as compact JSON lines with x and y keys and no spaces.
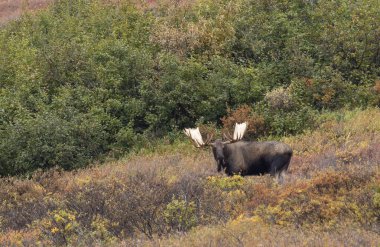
{"x":327,"y":200}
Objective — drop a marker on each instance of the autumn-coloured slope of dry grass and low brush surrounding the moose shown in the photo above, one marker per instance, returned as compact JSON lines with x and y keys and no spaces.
{"x":331,"y":196}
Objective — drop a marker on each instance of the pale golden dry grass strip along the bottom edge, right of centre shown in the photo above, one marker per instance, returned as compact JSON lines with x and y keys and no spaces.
{"x":249,"y":232}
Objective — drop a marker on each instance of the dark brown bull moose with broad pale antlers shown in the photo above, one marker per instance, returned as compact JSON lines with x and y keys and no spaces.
{"x":245,"y":157}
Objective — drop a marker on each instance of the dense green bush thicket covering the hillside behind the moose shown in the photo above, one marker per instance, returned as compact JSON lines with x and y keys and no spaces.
{"x":85,"y":79}
